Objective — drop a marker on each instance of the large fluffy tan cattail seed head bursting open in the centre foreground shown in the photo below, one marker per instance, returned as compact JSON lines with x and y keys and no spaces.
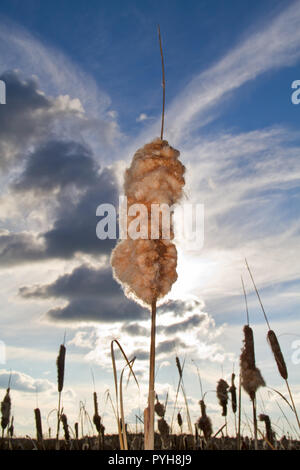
{"x":146,"y":267}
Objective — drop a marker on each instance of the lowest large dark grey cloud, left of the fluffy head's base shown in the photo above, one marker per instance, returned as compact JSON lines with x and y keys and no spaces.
{"x":92,"y":295}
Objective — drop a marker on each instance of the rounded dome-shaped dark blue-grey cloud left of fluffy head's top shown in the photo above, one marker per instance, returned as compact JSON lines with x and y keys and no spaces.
{"x":58,"y":164}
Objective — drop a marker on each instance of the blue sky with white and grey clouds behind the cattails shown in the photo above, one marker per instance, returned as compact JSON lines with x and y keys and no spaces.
{"x":83,"y":93}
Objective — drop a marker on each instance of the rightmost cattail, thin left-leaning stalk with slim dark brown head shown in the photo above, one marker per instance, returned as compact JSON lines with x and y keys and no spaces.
{"x":276,"y":350}
